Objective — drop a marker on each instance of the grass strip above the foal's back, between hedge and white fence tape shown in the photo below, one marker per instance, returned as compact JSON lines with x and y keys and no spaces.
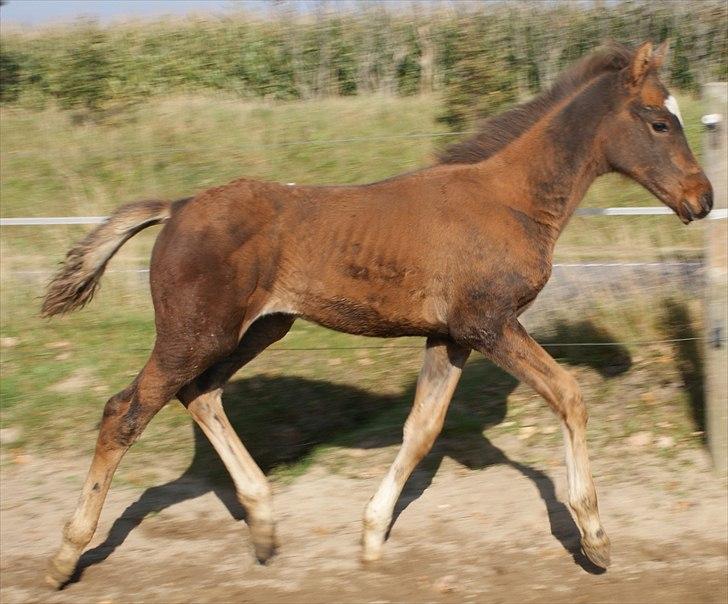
{"x":177,"y":146}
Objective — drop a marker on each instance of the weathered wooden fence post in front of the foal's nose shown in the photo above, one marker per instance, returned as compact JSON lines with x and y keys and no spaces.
{"x":716,"y":276}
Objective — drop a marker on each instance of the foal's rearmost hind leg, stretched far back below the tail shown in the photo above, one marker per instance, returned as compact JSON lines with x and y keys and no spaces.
{"x":126,"y":414}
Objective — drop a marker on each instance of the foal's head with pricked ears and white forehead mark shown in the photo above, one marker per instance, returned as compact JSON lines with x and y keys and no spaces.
{"x":646,"y":140}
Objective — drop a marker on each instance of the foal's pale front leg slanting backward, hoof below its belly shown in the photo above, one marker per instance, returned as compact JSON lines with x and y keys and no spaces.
{"x":439,"y":376}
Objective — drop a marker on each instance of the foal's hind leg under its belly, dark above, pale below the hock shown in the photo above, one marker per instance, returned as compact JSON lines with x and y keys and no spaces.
{"x":203,"y":399}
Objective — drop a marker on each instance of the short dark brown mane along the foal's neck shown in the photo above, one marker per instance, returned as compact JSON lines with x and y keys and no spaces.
{"x":496,"y":132}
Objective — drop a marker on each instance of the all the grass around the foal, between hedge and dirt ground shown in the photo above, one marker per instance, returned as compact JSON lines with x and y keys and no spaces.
{"x":291,"y":407}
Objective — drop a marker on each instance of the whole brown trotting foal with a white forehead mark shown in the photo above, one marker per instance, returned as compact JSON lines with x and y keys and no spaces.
{"x":453,"y":253}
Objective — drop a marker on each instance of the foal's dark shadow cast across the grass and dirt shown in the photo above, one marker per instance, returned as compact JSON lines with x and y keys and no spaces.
{"x":281,"y":420}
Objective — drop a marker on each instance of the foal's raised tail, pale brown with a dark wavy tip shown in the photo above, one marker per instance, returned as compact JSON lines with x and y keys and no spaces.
{"x":75,"y":283}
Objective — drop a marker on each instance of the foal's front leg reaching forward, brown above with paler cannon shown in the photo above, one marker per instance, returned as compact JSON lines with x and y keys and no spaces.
{"x":516,"y":352}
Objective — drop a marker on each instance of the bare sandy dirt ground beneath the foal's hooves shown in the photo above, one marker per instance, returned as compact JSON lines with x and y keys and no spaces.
{"x":497,"y":534}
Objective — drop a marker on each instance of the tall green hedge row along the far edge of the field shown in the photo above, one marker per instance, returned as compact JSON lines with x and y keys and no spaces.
{"x":481,"y":55}
